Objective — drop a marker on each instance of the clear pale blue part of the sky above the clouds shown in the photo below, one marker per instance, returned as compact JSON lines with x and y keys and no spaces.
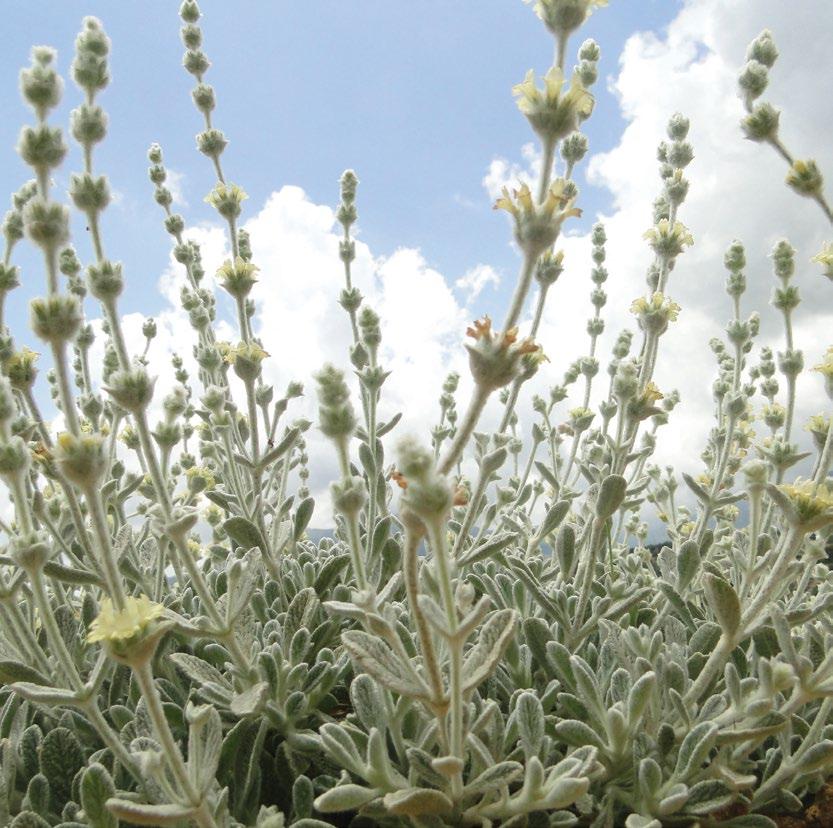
{"x":415,"y":97}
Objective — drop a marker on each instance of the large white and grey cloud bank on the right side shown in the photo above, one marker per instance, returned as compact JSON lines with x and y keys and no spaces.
{"x":737,"y":191}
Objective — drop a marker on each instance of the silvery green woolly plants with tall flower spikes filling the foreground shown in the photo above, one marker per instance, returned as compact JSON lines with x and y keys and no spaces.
{"x":490,"y":649}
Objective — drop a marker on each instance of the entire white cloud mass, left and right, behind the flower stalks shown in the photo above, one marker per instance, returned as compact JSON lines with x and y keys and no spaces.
{"x":737,"y":191}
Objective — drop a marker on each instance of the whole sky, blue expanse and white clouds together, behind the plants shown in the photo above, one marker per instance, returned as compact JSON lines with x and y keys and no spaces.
{"x":417,"y":99}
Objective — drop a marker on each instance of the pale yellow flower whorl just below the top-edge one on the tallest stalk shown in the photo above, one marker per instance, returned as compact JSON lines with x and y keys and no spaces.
{"x":552,"y":112}
